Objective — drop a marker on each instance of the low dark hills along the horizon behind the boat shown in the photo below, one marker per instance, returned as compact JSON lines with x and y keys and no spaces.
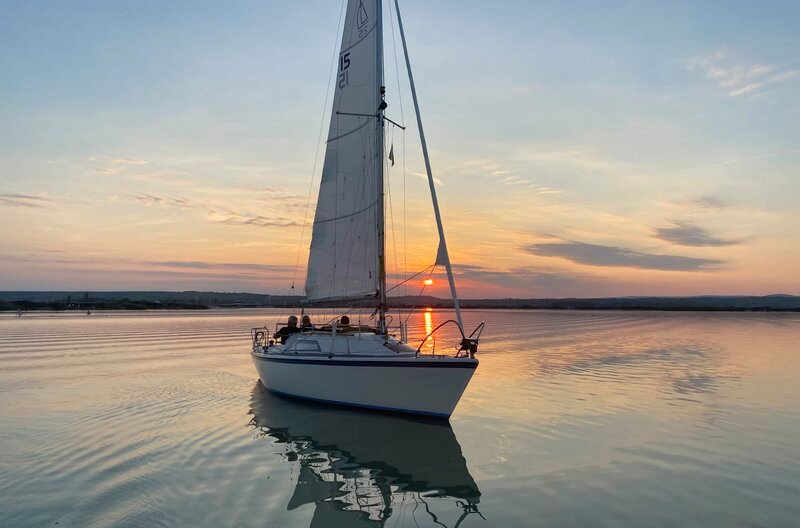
{"x":139,"y":300}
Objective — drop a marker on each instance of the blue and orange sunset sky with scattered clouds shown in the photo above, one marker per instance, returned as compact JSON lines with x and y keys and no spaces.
{"x":581,"y":148}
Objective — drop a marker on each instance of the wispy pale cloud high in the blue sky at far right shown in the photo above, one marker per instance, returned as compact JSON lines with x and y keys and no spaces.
{"x":736,"y":77}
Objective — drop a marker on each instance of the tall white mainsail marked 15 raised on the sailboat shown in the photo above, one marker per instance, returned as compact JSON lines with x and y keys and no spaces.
{"x":344,"y":258}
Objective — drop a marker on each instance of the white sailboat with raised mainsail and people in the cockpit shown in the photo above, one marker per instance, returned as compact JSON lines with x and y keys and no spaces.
{"x":362,"y":365}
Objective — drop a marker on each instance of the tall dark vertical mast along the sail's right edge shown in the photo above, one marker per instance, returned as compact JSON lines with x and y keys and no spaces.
{"x":380,"y":106}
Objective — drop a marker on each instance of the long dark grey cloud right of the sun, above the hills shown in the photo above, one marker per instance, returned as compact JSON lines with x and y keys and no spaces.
{"x":597,"y":255}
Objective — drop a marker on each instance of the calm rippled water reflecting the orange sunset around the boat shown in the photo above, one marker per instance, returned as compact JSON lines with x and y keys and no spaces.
{"x":572,"y":419}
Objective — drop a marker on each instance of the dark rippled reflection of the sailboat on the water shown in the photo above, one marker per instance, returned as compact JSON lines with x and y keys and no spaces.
{"x":359,"y":467}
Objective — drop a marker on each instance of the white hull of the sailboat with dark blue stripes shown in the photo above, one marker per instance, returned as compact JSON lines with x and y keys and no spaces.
{"x":419,"y":385}
